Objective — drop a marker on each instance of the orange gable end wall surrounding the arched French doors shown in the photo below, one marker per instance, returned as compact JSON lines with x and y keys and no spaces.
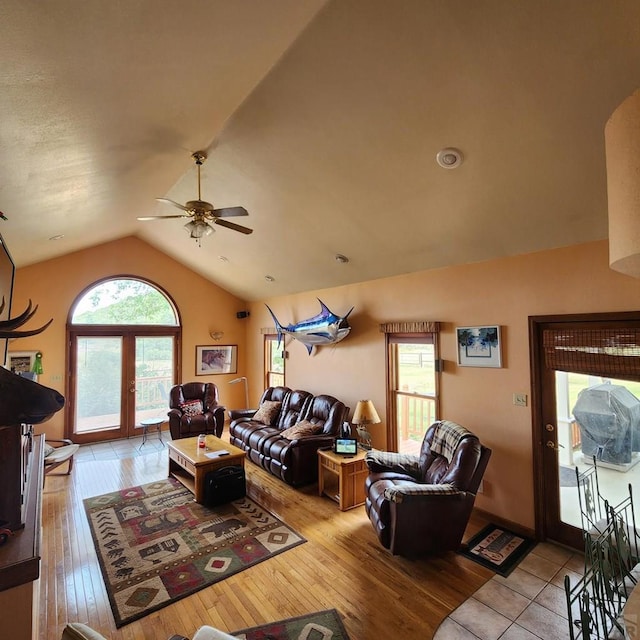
{"x":55,"y":284}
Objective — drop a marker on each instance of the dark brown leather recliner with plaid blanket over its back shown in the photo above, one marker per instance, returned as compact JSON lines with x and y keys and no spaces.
{"x":421,"y":505}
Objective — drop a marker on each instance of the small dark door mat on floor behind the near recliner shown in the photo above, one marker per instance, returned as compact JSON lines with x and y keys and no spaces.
{"x":497,"y":548}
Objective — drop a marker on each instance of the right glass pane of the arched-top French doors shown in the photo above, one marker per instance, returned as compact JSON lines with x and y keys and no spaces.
{"x":154,"y":376}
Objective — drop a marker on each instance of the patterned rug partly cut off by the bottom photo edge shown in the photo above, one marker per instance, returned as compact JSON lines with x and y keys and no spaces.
{"x":323,"y":625}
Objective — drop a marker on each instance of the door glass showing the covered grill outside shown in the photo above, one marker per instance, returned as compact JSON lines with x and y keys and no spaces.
{"x":599,"y":417}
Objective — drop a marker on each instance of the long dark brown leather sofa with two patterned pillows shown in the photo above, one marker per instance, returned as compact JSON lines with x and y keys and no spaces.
{"x":293,"y":459}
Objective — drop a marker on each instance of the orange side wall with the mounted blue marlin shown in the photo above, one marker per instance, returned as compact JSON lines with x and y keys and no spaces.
{"x":503,"y":292}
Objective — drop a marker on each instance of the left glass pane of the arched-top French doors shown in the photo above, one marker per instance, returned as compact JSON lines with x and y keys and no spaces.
{"x":98,"y":383}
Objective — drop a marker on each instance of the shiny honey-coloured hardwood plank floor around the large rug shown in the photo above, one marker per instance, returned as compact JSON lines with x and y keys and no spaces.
{"x":341,"y":565}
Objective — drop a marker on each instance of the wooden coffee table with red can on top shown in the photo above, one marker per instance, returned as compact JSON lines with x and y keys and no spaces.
{"x":189,"y":464}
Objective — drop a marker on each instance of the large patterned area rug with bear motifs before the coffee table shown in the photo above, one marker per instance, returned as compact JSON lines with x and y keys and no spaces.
{"x":156,"y":545}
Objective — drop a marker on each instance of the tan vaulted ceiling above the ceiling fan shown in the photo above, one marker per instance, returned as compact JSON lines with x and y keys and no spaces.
{"x":321,"y":118}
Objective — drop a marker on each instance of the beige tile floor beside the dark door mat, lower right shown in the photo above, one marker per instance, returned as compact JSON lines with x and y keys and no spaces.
{"x":529,"y":604}
